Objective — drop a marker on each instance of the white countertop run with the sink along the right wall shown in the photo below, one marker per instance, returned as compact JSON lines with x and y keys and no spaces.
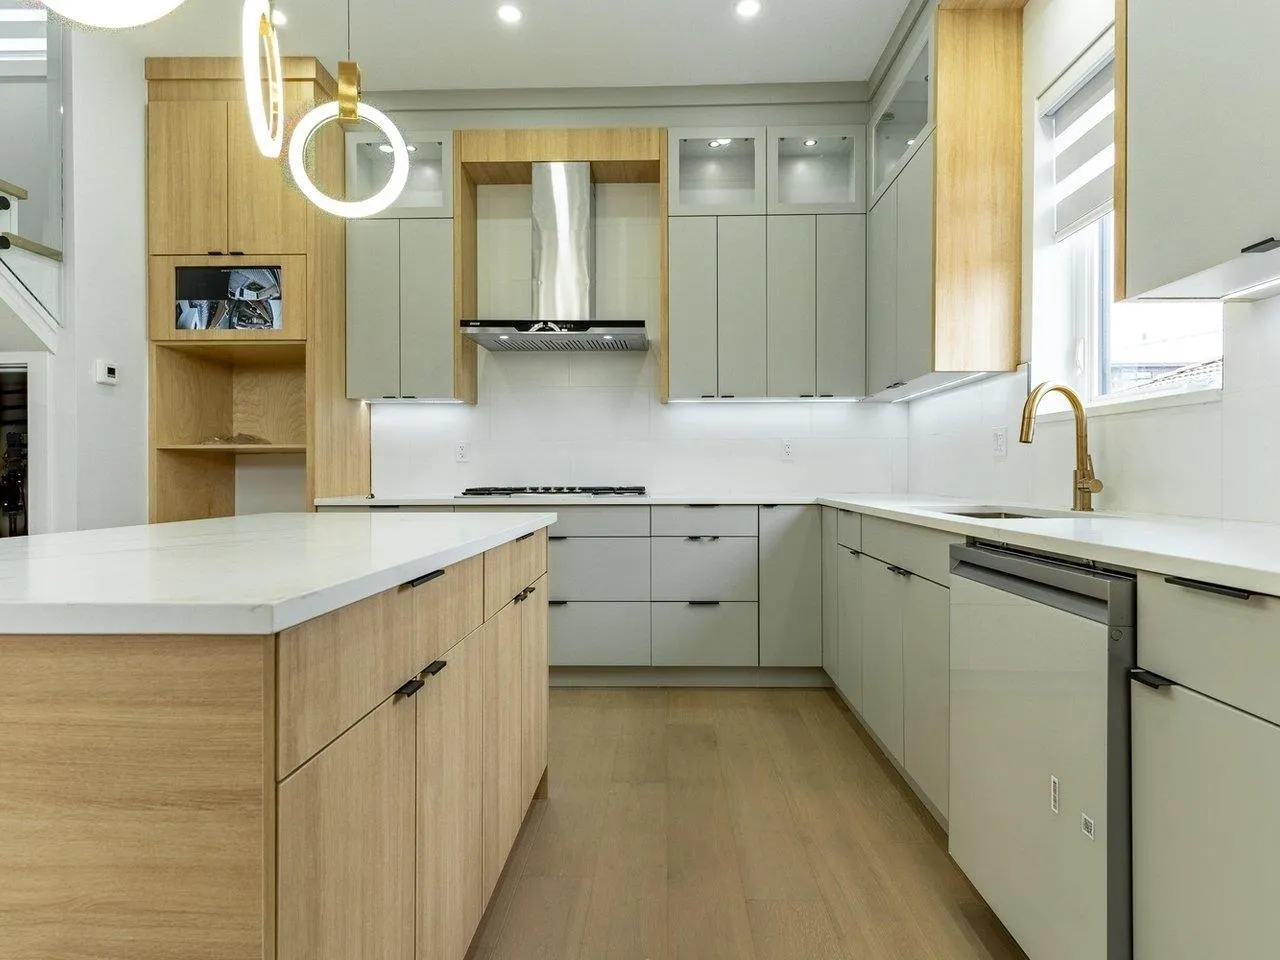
{"x":1232,"y":554}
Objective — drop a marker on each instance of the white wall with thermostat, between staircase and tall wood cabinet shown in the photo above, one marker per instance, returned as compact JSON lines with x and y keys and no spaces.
{"x":100,"y":433}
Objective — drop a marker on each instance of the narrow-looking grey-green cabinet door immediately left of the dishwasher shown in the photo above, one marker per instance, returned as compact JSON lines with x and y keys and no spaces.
{"x":927,"y":688}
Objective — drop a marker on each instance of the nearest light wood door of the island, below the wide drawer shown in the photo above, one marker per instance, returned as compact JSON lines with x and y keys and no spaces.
{"x":348,"y":829}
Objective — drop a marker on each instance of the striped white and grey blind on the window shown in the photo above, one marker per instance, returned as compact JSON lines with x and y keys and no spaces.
{"x":1085,"y":156}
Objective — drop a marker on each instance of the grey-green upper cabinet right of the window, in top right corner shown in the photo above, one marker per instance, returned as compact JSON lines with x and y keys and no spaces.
{"x":1199,"y":131}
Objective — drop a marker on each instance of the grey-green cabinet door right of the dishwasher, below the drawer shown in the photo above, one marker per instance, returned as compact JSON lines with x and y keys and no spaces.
{"x":1206,"y":789}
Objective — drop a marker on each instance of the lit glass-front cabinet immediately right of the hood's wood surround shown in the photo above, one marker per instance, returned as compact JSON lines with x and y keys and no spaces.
{"x":717,"y":171}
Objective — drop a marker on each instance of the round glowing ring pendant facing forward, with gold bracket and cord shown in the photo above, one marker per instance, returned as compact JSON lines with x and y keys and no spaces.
{"x":349,"y":109}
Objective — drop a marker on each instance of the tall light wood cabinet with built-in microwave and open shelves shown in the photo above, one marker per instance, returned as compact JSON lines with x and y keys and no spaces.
{"x":216,"y":205}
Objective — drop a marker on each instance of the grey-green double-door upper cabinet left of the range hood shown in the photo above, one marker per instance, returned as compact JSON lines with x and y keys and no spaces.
{"x":400,"y":309}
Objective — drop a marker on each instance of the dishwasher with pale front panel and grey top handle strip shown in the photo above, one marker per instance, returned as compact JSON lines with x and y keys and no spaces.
{"x":1041,"y":652}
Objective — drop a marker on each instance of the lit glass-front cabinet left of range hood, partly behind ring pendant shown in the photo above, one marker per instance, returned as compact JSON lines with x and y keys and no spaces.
{"x":429,"y":193}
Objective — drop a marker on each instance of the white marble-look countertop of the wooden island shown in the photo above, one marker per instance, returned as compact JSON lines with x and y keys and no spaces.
{"x":236,"y":575}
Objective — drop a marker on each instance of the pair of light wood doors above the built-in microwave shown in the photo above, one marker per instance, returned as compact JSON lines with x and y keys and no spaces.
{"x":245,"y":204}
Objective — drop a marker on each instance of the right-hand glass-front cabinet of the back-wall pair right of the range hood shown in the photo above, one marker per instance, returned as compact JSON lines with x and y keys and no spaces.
{"x":819,"y":170}
